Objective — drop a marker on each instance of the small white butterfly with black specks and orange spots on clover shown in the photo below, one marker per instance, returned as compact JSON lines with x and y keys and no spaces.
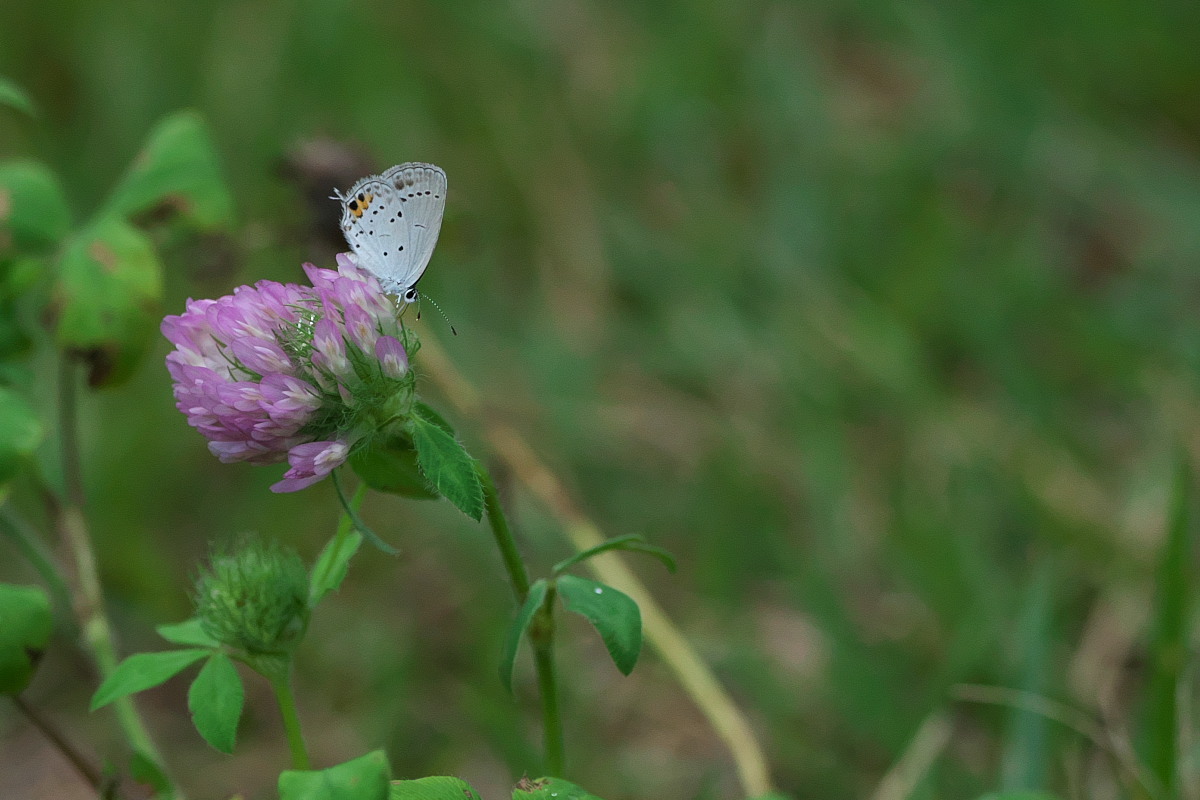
{"x":392,"y":224}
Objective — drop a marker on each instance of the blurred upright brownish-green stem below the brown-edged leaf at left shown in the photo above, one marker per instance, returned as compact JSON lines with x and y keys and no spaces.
{"x":88,"y":596}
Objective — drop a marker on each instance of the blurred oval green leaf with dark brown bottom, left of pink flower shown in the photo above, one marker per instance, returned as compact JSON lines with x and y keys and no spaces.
{"x":109,"y":299}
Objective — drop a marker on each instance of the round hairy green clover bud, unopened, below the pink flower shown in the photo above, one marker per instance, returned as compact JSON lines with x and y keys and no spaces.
{"x":255,"y":598}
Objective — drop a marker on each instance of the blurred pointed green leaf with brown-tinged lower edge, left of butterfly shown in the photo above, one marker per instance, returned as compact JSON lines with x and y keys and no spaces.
{"x":177,"y":171}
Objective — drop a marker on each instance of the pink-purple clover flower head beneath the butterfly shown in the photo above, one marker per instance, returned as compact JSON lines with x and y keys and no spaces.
{"x":286,"y":372}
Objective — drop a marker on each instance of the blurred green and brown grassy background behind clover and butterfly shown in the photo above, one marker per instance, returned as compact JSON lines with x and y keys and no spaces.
{"x":881,"y":317}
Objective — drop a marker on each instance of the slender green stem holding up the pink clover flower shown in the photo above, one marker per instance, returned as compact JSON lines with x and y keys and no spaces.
{"x":542,"y":633}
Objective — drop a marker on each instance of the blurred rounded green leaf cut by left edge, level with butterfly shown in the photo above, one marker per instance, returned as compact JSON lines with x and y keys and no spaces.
{"x":34,"y":213}
